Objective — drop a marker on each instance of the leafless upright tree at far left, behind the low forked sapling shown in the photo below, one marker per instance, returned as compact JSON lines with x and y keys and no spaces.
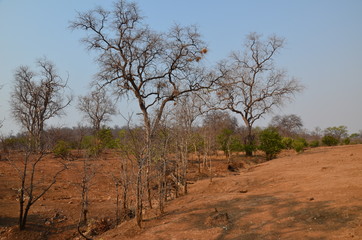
{"x":38,"y":97}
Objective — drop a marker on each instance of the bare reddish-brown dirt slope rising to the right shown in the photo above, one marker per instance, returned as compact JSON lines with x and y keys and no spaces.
{"x":314,"y":195}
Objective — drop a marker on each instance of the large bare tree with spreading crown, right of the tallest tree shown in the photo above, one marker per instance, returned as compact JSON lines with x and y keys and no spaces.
{"x":253,"y":85}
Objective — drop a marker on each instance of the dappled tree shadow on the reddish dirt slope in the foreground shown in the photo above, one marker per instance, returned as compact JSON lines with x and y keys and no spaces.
{"x":281,"y":218}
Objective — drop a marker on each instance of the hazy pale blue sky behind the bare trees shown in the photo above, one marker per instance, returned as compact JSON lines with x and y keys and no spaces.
{"x":323,"y":49}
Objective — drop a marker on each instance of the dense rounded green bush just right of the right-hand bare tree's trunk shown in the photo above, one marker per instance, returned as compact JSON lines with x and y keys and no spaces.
{"x":270,"y":143}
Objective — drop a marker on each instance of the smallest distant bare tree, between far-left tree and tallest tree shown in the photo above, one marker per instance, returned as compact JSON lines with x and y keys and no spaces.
{"x":97,"y":108}
